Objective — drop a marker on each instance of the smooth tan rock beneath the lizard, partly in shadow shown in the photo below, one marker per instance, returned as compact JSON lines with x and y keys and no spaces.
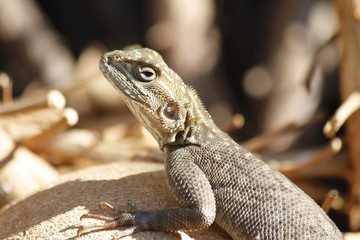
{"x":54,"y":212}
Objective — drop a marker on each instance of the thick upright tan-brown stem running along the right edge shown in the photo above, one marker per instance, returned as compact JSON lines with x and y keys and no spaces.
{"x":350,"y":83}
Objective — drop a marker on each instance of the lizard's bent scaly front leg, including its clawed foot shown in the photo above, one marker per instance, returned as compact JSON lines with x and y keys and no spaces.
{"x":192,"y":189}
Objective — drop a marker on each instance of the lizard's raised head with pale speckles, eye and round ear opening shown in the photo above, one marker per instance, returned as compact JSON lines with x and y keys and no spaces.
{"x":155,"y":94}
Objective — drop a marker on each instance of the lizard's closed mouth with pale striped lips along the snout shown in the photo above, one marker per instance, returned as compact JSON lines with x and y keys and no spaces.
{"x":120,"y":79}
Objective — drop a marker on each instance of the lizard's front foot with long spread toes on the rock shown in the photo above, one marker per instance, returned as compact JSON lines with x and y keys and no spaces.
{"x":119,"y":219}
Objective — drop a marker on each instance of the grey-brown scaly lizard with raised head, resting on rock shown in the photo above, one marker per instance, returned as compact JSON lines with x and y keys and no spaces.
{"x":214,"y":179}
